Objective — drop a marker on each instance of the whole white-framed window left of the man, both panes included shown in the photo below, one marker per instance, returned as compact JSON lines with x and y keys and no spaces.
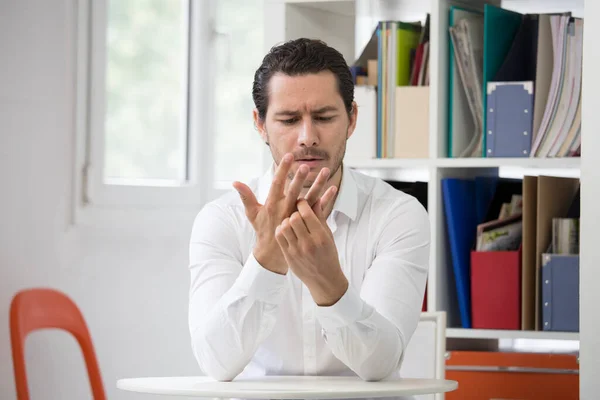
{"x":167,"y":85}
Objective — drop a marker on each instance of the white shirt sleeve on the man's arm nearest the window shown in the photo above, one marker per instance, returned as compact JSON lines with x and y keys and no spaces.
{"x":233,"y":302}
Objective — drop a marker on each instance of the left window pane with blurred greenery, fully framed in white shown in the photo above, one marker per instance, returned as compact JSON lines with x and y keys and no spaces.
{"x":146,"y":79}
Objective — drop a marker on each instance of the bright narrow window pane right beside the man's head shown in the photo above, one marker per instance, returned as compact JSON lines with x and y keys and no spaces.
{"x":239,"y":52}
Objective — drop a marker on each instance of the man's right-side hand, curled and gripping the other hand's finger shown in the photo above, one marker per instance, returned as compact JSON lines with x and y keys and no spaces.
{"x":309,"y":249}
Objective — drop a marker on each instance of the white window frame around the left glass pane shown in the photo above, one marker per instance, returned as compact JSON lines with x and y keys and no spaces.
{"x":95,"y":200}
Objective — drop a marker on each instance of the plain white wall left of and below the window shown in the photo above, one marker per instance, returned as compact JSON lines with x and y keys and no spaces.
{"x":131,"y":289}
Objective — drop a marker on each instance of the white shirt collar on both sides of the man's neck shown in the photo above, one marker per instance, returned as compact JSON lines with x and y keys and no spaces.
{"x":346,"y":201}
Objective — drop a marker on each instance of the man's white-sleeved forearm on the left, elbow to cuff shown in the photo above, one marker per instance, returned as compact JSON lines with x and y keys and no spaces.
{"x":226,"y":337}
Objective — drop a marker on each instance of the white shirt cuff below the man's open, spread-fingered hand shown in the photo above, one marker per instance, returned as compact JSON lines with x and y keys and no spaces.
{"x":260,"y":283}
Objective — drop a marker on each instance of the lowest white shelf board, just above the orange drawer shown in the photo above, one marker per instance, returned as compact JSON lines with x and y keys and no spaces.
{"x":509,"y":334}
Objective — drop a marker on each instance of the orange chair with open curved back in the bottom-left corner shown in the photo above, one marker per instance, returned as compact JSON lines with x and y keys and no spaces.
{"x":34,"y":309}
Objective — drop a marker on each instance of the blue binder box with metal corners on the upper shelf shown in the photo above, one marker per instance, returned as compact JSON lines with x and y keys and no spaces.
{"x":509,"y":119}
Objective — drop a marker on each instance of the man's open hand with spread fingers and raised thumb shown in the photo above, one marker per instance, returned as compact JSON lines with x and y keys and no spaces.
{"x":278,"y":206}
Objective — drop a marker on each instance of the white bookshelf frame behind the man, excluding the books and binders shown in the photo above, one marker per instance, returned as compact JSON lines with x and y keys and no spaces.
{"x":348,"y":25}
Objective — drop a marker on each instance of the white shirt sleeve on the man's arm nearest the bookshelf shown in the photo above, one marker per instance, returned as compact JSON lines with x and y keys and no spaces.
{"x":368,"y":329}
